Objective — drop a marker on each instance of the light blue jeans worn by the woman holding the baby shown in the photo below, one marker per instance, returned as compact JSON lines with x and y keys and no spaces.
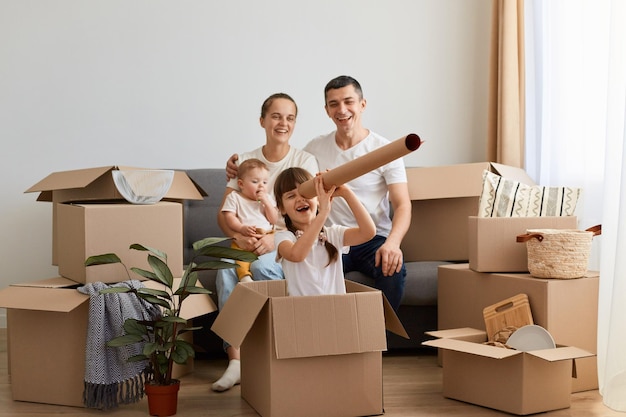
{"x":264,"y":268}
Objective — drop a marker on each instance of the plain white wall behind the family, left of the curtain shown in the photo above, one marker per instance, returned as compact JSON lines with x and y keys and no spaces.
{"x":158,"y":83}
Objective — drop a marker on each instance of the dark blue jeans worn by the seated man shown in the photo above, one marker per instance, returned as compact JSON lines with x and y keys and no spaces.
{"x":363,"y":257}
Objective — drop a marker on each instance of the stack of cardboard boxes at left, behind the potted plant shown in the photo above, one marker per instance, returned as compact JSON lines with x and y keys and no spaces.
{"x":47,"y":319}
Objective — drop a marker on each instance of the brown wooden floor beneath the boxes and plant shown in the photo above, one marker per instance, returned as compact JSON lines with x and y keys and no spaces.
{"x":412,"y":387}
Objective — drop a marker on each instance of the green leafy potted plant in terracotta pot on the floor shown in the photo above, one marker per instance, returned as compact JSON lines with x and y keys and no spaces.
{"x":161,"y":336}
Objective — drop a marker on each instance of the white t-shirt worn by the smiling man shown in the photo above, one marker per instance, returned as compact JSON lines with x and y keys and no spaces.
{"x":371,"y":188}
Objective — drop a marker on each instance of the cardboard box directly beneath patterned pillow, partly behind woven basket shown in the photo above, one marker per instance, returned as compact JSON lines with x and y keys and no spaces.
{"x":492,"y":240}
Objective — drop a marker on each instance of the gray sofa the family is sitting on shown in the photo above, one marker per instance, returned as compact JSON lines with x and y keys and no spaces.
{"x":417,"y":312}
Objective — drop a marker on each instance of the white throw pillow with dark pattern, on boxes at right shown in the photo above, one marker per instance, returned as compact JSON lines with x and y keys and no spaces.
{"x":502,"y":197}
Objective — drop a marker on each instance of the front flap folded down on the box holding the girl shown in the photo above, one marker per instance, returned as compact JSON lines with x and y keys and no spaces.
{"x":322,"y":325}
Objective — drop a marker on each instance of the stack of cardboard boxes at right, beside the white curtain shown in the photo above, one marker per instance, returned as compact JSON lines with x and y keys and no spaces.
{"x":492,"y":267}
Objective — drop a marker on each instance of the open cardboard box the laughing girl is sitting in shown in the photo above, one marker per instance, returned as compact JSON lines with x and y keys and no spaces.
{"x":304,"y":356}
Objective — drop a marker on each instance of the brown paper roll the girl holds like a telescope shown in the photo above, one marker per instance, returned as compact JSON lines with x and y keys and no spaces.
{"x":363,"y":164}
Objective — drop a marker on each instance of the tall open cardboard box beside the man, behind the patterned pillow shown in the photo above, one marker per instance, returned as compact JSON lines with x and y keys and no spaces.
{"x":442,"y":199}
